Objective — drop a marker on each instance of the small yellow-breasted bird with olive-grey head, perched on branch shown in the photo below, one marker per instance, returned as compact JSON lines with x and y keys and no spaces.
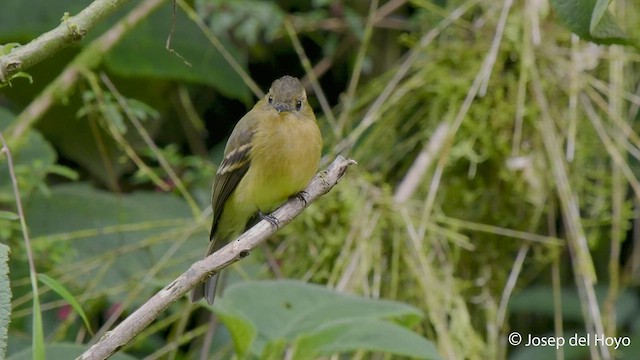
{"x":272,"y":154}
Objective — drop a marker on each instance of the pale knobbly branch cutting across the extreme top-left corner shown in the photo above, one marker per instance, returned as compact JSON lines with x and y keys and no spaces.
{"x":72,"y":29}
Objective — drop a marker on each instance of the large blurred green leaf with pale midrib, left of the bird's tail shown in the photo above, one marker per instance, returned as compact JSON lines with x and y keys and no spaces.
{"x":126,"y":233}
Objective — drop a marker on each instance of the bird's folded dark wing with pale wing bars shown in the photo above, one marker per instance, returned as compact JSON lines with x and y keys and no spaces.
{"x":233,"y":167}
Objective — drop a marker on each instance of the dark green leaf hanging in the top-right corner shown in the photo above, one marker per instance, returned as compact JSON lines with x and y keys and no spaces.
{"x":590,"y":23}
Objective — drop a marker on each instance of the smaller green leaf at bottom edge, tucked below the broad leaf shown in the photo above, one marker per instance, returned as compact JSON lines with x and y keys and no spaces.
{"x":370,"y":334}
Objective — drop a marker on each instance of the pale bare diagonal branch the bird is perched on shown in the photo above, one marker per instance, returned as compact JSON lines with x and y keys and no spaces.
{"x":199,"y":271}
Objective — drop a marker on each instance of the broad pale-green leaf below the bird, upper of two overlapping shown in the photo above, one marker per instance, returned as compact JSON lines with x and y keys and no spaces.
{"x":290,"y":310}
